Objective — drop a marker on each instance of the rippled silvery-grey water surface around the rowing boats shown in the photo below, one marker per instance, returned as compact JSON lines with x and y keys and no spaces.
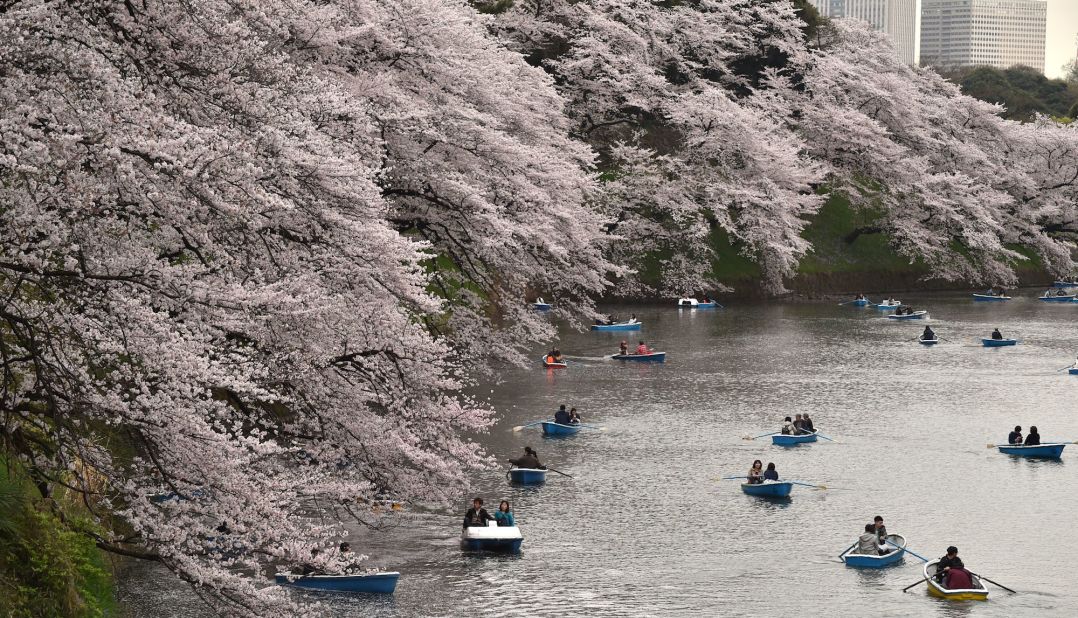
{"x":644,"y":528}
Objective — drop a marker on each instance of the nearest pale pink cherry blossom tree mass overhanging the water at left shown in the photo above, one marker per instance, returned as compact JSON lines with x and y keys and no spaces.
{"x":248,"y":246}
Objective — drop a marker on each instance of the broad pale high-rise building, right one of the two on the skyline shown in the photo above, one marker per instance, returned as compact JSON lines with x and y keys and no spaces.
{"x":973,"y":33}
